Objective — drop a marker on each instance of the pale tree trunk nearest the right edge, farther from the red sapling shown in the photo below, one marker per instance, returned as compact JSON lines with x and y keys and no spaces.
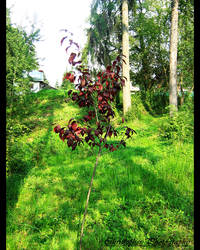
{"x":173,"y":58}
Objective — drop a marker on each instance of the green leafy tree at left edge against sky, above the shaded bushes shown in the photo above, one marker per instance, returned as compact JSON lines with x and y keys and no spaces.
{"x":20,"y":59}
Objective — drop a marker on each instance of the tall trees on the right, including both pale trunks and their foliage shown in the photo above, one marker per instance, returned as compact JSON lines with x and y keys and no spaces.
{"x":159,"y":45}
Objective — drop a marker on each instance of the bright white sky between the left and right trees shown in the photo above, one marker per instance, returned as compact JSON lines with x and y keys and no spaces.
{"x":50,"y":17}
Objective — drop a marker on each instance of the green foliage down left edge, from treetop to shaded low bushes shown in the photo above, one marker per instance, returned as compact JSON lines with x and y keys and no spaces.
{"x":21,"y":58}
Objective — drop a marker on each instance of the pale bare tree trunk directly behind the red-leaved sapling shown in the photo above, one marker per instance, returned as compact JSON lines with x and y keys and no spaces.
{"x":125,"y":52}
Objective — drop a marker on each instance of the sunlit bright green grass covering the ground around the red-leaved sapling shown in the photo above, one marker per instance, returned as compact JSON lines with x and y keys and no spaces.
{"x":142,"y":196}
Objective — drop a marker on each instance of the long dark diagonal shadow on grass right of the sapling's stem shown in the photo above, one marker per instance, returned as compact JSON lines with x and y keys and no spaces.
{"x":151,"y":181}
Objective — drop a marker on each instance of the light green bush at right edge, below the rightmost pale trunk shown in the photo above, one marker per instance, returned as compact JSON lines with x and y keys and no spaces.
{"x":180,"y":126}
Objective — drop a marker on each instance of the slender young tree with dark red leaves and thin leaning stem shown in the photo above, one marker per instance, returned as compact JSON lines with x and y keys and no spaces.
{"x":98,"y":96}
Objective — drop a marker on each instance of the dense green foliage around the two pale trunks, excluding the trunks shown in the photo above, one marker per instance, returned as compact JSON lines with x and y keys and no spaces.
{"x":149,"y":28}
